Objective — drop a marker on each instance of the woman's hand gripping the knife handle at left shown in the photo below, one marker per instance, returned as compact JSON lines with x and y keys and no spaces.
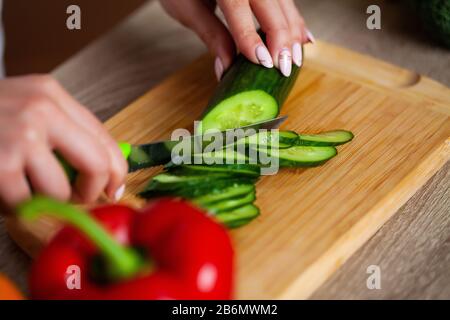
{"x":38,"y":117}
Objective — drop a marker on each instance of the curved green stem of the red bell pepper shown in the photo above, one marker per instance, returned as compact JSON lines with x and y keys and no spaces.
{"x":123,"y":262}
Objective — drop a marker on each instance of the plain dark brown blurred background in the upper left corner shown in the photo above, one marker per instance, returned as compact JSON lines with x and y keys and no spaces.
{"x":37,"y":39}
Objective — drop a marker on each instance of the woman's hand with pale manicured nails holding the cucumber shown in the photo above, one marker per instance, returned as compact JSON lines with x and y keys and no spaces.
{"x":279,"y":19}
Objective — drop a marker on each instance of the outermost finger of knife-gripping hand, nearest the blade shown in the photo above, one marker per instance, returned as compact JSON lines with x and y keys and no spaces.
{"x":86,"y":120}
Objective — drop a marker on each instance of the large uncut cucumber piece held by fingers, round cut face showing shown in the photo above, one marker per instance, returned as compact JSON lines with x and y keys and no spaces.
{"x":248,"y":93}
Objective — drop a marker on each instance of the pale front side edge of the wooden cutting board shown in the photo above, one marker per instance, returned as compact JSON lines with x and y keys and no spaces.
{"x":304,"y":286}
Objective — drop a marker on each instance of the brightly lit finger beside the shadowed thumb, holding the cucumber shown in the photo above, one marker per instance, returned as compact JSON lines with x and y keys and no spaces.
{"x":240,"y":21}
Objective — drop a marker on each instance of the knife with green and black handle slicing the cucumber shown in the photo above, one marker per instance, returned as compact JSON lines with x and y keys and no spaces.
{"x":160,"y":152}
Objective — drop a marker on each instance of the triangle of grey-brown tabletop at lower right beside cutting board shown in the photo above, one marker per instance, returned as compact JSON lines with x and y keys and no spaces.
{"x":418,"y":235}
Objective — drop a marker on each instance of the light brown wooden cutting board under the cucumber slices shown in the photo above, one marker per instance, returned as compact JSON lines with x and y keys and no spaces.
{"x":312,"y":220}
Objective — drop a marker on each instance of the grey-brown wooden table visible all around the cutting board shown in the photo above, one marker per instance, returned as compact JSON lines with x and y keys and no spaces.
{"x":412,"y":249}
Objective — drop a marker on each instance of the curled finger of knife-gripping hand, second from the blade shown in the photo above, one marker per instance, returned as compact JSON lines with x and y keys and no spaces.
{"x":84,"y":153}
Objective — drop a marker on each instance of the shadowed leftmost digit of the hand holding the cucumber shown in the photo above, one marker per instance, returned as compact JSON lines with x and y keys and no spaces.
{"x":199,"y":17}
